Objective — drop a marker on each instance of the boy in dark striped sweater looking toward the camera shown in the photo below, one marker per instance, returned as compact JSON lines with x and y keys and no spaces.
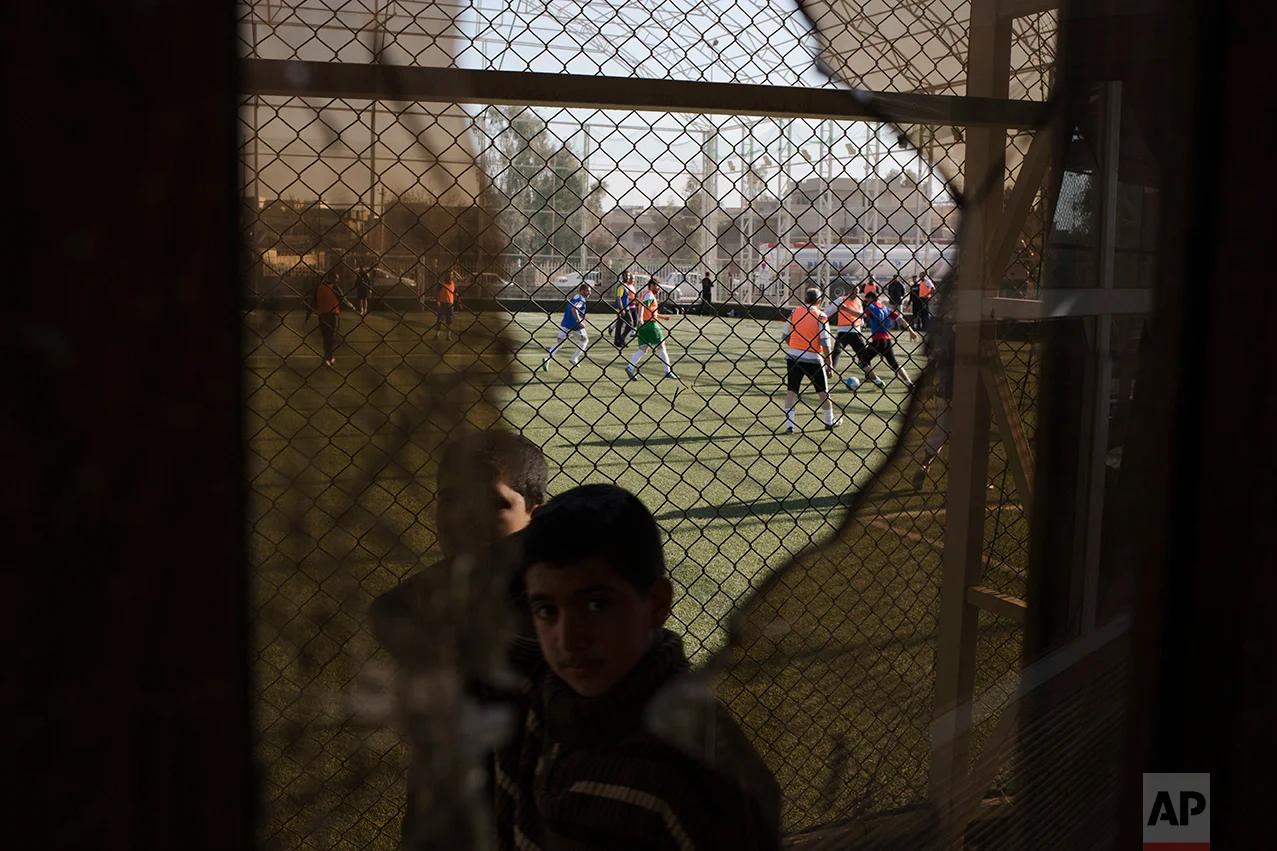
{"x":583,"y":770}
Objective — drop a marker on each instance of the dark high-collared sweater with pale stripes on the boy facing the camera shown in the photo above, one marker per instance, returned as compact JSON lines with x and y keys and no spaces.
{"x":587,"y":774}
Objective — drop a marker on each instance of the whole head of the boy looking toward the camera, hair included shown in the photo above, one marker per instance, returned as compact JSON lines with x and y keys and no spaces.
{"x":594,"y":576}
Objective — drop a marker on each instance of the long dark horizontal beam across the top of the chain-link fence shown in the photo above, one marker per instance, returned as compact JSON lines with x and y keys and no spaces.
{"x":296,"y":79}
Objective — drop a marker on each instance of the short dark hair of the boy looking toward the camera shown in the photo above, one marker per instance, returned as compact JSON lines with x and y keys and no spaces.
{"x":603,"y":522}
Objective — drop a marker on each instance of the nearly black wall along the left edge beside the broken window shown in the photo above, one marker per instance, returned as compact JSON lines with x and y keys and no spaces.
{"x":122,"y":431}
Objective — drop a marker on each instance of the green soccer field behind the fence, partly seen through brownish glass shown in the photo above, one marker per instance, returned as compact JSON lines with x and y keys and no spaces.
{"x":342,"y":509}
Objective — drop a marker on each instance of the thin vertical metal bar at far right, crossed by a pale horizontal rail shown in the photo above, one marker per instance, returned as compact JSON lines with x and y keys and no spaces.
{"x":1101,"y":366}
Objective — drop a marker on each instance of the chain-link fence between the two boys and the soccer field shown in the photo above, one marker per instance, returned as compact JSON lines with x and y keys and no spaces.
{"x":409,"y":275}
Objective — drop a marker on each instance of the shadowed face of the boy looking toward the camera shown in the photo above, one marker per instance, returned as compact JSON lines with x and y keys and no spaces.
{"x":593,"y":625}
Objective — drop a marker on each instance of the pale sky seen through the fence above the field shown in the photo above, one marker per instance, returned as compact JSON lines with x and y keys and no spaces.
{"x":643,"y":158}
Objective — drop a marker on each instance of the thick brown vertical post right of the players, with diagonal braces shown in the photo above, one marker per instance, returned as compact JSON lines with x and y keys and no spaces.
{"x":988,"y":76}
